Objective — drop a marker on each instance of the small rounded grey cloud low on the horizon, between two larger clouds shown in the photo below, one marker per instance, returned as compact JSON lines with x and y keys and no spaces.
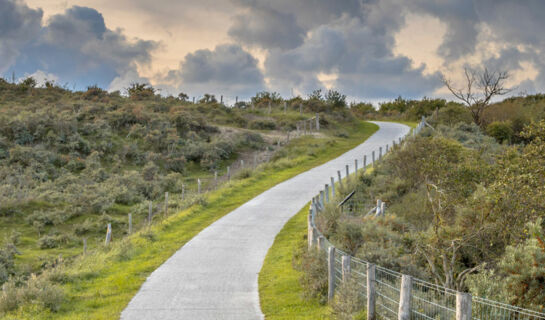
{"x":227,"y":70}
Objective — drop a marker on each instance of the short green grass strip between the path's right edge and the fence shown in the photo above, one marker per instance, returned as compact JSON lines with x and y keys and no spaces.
{"x":279,"y":289}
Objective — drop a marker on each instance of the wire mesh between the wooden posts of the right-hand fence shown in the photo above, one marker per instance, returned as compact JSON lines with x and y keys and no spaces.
{"x":428,"y":301}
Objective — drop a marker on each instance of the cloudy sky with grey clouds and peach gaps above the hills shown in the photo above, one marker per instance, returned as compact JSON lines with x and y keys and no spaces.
{"x":368,"y":49}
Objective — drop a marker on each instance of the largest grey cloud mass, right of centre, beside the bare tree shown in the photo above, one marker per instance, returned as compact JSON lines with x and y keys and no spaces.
{"x":359,"y":50}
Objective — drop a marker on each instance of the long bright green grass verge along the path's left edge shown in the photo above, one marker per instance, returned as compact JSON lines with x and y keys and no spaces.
{"x":100,"y":285}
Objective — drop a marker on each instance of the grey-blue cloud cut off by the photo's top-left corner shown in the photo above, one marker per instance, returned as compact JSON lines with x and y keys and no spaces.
{"x":18,"y":25}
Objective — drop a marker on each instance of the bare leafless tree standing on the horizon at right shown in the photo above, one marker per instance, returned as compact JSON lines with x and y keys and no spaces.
{"x":480,"y":89}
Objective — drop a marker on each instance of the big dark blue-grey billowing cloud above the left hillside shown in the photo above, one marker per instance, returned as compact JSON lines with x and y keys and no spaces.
{"x":77,"y":47}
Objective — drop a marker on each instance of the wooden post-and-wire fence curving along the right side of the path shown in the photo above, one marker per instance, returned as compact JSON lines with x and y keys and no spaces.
{"x":392,"y":295}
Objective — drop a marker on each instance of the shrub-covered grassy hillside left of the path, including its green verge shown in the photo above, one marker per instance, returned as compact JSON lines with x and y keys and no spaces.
{"x":72,"y":162}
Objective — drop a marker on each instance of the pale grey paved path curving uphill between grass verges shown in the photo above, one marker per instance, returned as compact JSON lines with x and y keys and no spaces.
{"x":214,"y":275}
